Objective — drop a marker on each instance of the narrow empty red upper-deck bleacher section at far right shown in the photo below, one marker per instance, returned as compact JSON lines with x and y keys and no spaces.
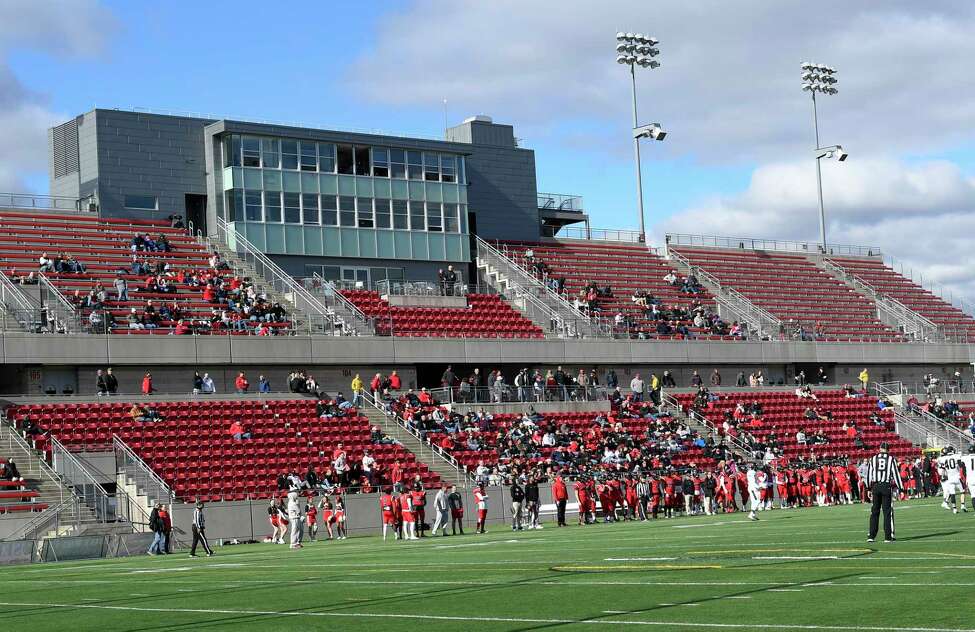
{"x":885,"y":280}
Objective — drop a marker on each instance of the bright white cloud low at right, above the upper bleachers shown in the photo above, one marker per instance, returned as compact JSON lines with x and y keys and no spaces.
{"x":918,"y":213}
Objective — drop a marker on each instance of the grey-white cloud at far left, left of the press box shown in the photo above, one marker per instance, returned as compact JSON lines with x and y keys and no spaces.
{"x":68,"y":28}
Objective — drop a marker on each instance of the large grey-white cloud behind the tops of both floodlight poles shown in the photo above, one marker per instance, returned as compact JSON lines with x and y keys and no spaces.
{"x":728,"y":87}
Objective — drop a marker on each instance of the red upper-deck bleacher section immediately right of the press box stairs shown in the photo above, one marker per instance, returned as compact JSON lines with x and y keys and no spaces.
{"x":625,"y":269}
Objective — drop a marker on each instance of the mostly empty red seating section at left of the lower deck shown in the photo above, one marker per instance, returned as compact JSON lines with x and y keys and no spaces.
{"x":192,"y":449}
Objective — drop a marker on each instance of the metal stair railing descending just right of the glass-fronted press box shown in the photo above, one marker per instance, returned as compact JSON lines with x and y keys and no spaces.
{"x":539,"y":301}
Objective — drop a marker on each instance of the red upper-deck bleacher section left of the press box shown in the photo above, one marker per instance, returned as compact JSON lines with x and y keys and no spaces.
{"x":103,"y":247}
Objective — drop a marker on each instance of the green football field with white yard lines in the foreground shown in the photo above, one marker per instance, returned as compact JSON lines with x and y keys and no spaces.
{"x":810,"y":569}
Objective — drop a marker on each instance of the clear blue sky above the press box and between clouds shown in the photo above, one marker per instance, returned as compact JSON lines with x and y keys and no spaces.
{"x":183,"y":57}
